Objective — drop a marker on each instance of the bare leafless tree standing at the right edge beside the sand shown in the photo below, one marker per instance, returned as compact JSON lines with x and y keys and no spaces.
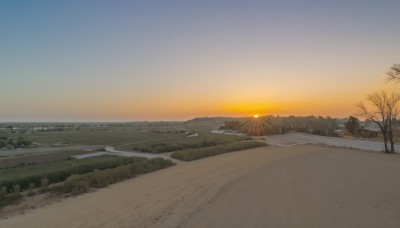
{"x":383,"y":111}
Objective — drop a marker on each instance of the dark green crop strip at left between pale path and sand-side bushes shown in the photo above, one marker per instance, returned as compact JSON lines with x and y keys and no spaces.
{"x":58,"y":171}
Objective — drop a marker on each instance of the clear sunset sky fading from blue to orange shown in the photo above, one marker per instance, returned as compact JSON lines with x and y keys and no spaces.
{"x":172,"y":60}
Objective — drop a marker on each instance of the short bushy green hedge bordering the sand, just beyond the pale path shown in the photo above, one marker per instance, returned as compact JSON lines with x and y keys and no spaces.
{"x":194,"y":154}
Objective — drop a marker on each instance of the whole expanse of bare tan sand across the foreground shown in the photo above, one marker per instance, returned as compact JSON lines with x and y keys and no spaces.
{"x":299,"y":186}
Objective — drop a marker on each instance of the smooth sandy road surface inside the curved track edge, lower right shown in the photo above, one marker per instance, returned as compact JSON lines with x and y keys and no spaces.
{"x":324,"y":189}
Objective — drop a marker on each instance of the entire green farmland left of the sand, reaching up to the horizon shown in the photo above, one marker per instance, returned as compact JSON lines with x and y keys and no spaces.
{"x":46,"y":160}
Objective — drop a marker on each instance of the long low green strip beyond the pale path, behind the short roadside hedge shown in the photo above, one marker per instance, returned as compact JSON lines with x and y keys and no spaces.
{"x":201,"y":141}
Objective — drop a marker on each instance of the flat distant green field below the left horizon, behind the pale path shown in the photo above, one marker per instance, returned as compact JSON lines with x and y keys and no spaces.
{"x":111,"y":134}
